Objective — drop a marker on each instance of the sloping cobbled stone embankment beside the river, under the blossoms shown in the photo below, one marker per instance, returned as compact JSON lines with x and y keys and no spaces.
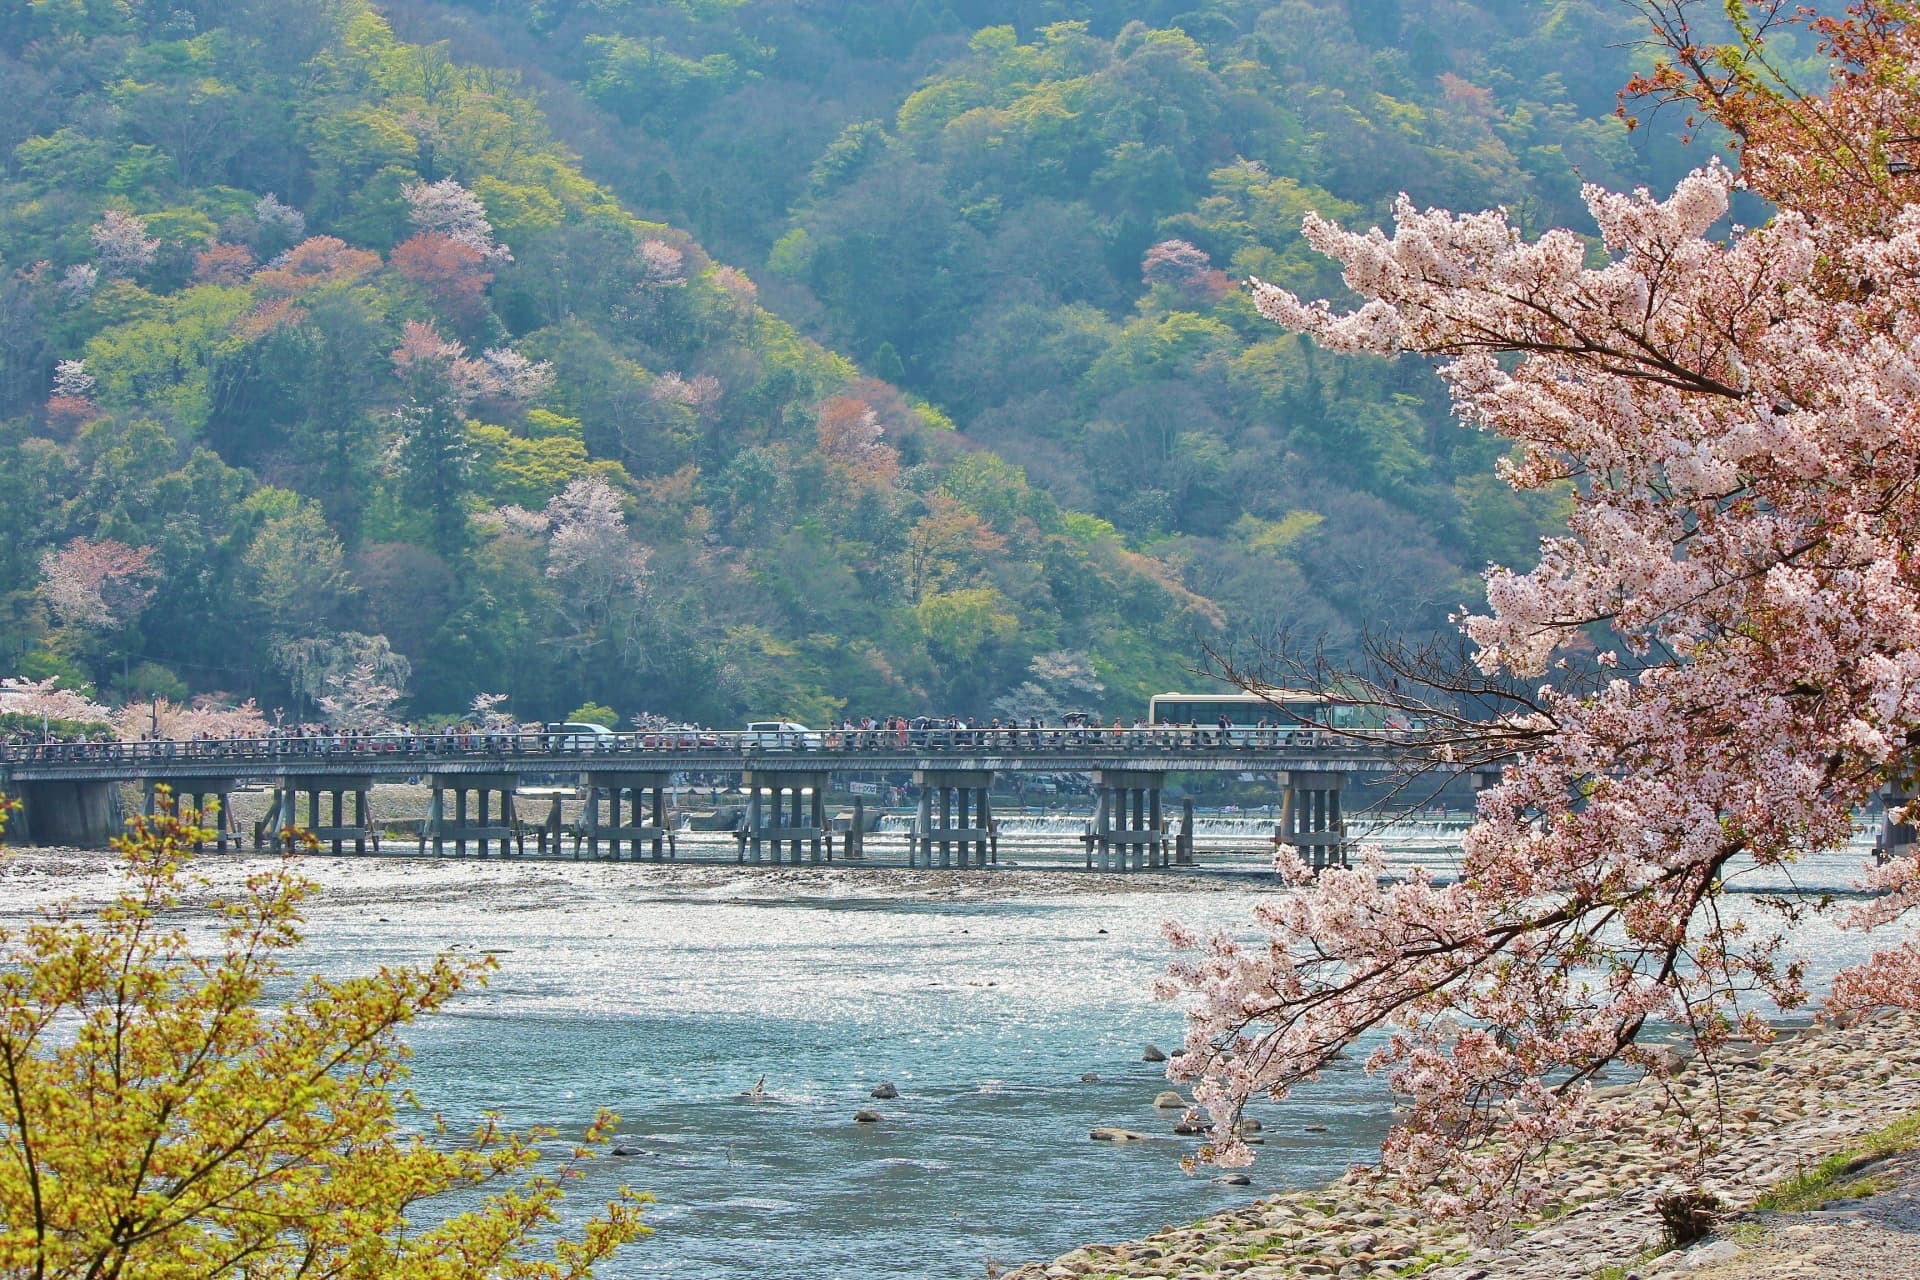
{"x":1783,"y":1108}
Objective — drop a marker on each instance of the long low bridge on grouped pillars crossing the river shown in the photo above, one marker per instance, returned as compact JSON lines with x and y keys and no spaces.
{"x":70,"y":792}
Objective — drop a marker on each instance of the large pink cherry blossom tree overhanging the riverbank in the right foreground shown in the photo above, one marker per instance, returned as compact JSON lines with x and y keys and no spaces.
{"x":1739,"y":412}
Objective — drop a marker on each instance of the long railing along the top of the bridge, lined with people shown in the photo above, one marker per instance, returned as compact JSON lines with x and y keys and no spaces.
{"x":669,"y":744}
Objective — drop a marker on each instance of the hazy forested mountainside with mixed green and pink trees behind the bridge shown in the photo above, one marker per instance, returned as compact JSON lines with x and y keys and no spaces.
{"x":773,"y":360}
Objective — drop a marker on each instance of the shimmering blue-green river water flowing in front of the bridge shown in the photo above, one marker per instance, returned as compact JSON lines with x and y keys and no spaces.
{"x":669,"y":1007}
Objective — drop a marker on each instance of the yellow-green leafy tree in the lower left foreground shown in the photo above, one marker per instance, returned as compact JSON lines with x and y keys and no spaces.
{"x":170,"y":1116}
